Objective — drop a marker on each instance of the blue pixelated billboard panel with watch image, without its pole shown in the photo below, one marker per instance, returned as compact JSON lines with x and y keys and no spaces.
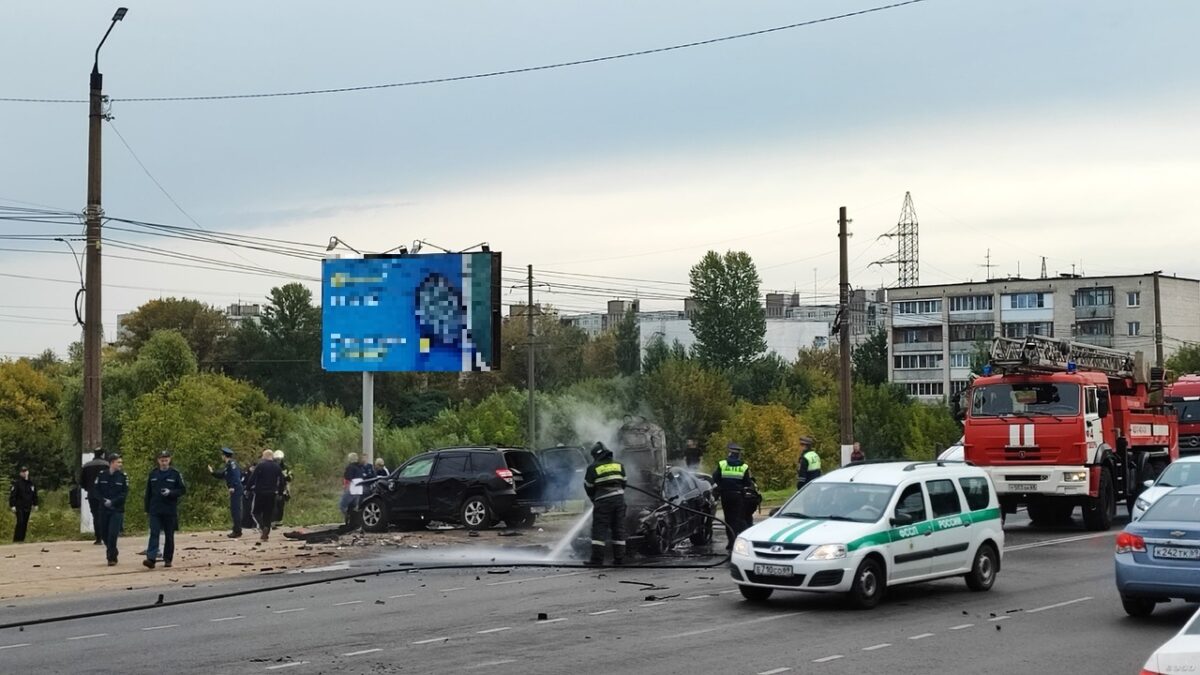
{"x":428,"y":313}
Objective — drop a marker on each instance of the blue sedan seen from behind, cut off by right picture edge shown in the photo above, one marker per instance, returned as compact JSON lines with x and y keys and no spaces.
{"x":1159,"y":557}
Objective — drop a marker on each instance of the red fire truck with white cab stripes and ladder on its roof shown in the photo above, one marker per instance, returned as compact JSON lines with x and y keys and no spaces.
{"x":1061,"y":425}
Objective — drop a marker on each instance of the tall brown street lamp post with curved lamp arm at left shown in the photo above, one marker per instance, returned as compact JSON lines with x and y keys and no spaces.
{"x":94,"y":332}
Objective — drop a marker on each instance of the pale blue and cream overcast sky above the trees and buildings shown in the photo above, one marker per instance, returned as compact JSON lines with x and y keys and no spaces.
{"x":1028,"y":128}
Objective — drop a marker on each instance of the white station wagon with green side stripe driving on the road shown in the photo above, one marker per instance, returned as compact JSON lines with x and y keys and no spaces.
{"x":865,"y":528}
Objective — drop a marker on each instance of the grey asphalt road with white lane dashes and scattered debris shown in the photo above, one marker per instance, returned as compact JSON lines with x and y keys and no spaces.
{"x":1054,"y":610}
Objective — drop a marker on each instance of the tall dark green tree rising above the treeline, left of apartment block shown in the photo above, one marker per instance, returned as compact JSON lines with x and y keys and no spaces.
{"x":729,"y":324}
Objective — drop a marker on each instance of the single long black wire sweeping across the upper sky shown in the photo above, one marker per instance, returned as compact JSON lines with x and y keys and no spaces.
{"x":483,"y":75}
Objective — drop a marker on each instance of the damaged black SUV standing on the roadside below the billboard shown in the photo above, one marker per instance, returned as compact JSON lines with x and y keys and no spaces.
{"x":473,"y":487}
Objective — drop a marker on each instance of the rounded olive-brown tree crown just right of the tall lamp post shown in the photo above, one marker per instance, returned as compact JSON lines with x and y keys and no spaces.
{"x":202,"y":326}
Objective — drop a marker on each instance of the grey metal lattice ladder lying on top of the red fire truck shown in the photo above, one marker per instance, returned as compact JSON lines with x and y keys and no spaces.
{"x":1049,"y":355}
